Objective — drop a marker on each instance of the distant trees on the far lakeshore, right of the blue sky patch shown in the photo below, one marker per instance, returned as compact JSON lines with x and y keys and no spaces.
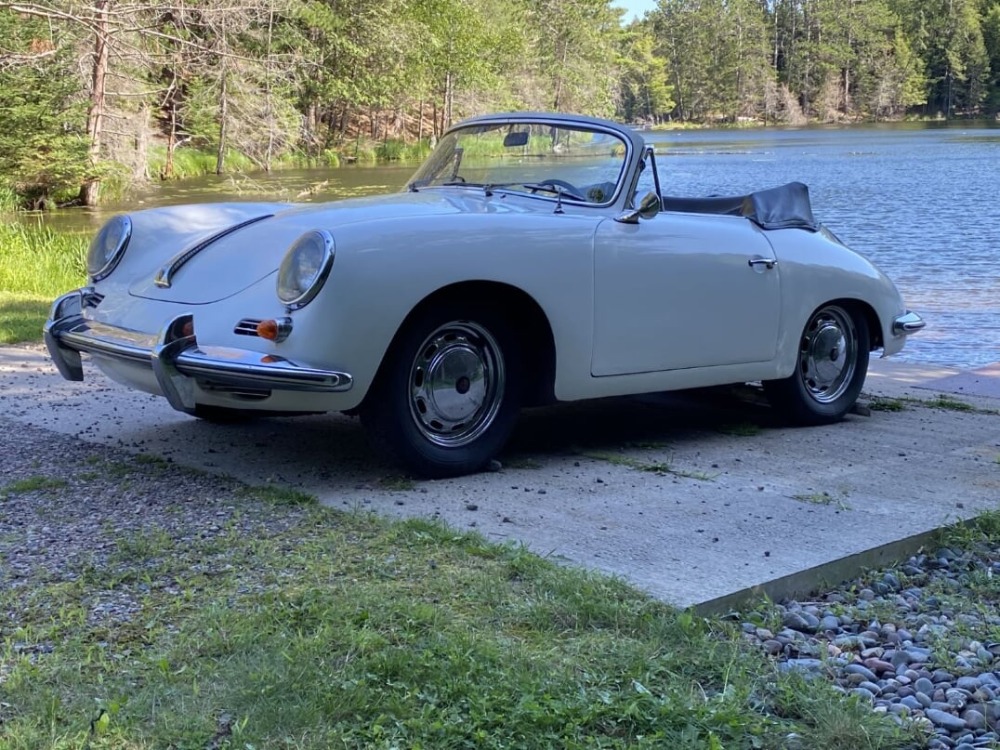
{"x":794,"y":61}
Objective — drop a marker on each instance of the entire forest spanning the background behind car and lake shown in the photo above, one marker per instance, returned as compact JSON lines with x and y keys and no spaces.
{"x":97,"y":95}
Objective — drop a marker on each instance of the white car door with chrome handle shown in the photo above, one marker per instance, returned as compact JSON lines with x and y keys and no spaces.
{"x":683,"y":290}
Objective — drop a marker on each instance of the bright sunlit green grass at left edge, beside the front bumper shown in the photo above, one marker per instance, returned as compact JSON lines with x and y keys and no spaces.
{"x":36,"y":265}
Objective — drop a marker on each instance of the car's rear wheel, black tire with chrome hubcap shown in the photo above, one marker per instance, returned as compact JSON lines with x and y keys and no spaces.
{"x":830,"y":370}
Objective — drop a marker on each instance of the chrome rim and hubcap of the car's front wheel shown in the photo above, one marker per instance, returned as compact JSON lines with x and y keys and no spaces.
{"x":456,"y":384}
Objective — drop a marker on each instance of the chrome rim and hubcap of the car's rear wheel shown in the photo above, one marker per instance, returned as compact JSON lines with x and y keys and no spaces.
{"x":828,"y":354}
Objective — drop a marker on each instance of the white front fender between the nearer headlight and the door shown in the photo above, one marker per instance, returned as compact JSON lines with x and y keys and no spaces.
{"x":383,"y":271}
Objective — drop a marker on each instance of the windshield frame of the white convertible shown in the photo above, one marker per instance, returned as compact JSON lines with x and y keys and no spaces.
{"x":487,"y":123}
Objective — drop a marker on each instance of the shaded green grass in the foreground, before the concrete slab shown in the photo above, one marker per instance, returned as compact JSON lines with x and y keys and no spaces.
{"x":342,"y":630}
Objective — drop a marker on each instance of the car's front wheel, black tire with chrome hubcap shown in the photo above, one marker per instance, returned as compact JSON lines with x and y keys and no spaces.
{"x":448,"y":393}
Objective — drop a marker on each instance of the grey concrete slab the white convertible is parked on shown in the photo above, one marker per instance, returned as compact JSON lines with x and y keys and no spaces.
{"x":700,"y":498}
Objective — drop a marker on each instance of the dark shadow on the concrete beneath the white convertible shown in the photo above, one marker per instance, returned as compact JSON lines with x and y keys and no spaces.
{"x":332,"y":450}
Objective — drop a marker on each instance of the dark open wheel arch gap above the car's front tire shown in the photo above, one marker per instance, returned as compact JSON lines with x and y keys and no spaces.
{"x":526,"y":315}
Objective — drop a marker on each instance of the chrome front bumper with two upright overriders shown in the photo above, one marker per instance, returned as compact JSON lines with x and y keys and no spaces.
{"x":174,"y":356}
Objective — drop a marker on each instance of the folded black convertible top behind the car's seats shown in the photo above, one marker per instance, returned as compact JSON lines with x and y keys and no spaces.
{"x":784,"y":207}
